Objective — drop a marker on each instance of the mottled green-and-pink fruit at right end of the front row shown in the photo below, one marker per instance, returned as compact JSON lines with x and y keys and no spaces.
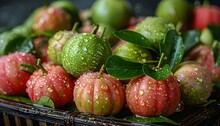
{"x":195,"y":82}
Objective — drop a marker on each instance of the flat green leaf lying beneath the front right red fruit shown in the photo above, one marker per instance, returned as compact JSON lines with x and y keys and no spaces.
{"x":150,"y":120}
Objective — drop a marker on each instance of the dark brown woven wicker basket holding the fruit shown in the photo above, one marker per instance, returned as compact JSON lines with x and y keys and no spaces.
{"x":20,"y":114}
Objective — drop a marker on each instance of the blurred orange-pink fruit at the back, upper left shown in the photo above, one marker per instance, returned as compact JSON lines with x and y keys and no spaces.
{"x":51,"y":19}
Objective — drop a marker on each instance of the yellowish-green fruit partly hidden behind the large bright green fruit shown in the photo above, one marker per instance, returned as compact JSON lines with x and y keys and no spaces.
{"x":56,"y":44}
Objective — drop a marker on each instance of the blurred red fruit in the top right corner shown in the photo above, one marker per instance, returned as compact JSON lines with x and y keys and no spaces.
{"x":205,"y":15}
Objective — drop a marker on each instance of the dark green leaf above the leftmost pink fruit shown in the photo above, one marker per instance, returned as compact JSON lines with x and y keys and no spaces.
{"x":20,"y":44}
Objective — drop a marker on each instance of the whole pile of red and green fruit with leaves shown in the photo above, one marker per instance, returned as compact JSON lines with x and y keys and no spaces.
{"x":104,"y":60}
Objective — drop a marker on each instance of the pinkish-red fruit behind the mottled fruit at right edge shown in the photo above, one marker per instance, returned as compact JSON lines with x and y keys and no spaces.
{"x":204,"y":55}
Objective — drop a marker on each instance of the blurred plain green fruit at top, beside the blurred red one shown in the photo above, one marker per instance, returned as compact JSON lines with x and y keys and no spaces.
{"x":174,"y":10}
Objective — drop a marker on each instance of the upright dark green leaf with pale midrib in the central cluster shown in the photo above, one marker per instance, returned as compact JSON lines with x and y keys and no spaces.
{"x":173,"y":48}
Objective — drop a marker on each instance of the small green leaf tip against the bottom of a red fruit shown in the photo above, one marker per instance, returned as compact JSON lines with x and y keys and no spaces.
{"x":46,"y":101}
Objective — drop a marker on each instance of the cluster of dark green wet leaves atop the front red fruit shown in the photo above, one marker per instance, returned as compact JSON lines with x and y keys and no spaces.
{"x":171,"y":52}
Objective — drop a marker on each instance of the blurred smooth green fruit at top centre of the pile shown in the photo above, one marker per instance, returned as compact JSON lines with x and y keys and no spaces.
{"x":115,"y":13}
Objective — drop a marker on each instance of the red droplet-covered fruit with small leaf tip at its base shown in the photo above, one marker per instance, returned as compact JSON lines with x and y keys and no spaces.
{"x":57,"y":84}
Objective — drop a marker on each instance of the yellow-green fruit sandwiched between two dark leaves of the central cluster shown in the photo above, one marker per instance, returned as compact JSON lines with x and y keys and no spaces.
{"x":133,"y":52}
